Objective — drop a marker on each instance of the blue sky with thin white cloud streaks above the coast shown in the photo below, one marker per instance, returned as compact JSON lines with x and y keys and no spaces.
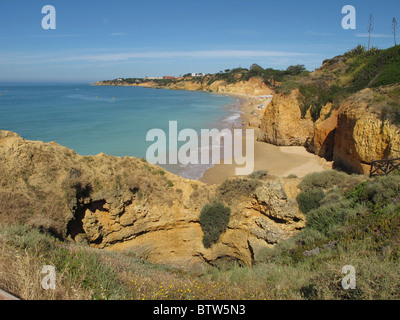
{"x":96,"y":40}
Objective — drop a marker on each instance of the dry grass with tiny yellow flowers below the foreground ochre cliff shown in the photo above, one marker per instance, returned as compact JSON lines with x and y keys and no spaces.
{"x":84,"y":273}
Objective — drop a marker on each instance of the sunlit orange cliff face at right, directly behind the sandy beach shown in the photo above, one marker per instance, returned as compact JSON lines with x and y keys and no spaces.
{"x":352,"y":135}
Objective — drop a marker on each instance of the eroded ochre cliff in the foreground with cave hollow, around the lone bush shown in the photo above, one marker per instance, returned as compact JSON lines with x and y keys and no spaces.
{"x":127,"y":204}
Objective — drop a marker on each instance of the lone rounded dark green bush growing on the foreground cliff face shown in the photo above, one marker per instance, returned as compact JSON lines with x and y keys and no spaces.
{"x":214,"y":219}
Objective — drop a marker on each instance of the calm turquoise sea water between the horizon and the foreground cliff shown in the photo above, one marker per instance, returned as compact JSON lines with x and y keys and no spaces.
{"x":113,"y":120}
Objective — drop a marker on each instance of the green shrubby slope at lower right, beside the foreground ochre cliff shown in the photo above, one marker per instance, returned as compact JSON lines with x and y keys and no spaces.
{"x":356,"y":223}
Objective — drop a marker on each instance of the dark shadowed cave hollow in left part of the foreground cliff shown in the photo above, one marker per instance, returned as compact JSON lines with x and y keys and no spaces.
{"x":75,"y":225}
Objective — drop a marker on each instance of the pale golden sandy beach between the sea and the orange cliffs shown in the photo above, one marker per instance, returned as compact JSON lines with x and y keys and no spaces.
{"x":278,"y":161}
